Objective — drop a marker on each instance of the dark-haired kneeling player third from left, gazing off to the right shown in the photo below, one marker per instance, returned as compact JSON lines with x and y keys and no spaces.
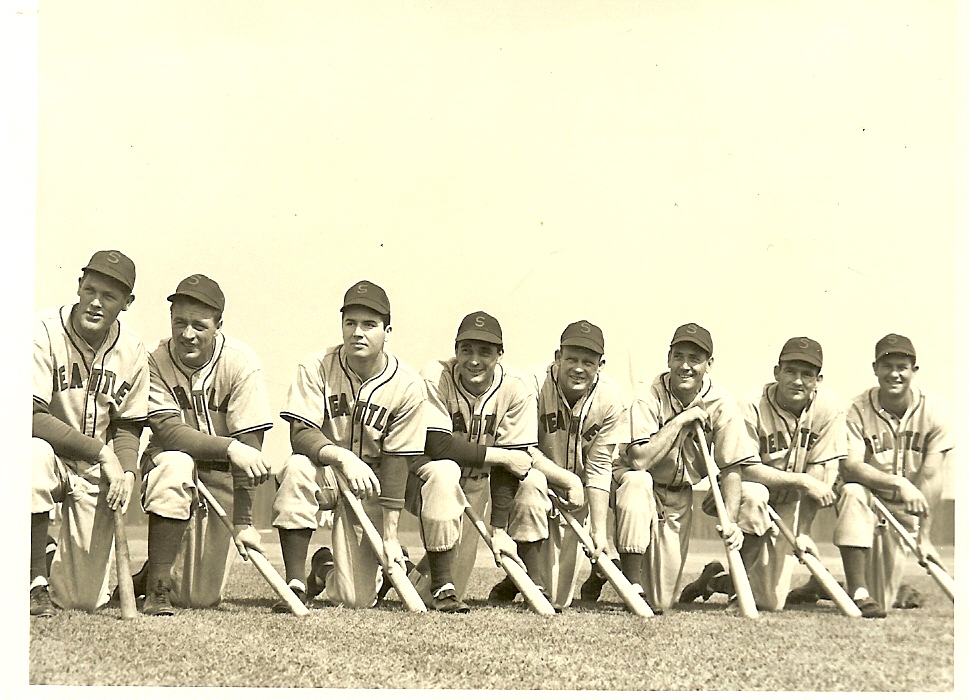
{"x":357,"y":409}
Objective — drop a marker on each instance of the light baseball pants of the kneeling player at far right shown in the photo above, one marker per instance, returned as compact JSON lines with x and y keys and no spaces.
{"x":859,"y":526}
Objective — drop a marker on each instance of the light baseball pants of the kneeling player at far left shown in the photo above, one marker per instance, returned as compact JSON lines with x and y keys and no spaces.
{"x":85,"y":541}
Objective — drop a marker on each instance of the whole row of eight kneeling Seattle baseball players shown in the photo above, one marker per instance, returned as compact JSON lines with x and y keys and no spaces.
{"x":466,"y":430}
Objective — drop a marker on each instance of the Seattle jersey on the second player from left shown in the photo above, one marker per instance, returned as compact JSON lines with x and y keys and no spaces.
{"x":226,"y":397}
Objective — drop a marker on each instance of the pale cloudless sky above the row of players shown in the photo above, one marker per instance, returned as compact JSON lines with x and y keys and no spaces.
{"x":765,"y":169}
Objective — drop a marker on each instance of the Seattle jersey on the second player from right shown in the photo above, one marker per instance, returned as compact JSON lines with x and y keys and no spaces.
{"x":790,"y":443}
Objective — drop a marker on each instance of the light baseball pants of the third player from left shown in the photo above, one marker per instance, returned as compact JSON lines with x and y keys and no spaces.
{"x":305,"y":491}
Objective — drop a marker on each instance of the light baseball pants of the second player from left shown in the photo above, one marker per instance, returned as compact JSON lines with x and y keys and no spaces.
{"x":204,"y":560}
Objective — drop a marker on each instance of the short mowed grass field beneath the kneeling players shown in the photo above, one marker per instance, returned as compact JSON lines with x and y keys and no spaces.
{"x":588,"y":647}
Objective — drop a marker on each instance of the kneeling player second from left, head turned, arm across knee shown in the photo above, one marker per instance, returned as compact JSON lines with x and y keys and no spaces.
{"x":208,"y":411}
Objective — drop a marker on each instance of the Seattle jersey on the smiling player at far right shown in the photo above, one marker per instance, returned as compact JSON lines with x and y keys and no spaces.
{"x":897,"y":445}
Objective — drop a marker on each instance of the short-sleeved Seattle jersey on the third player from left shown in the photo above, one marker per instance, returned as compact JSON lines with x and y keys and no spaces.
{"x":384,"y":414}
